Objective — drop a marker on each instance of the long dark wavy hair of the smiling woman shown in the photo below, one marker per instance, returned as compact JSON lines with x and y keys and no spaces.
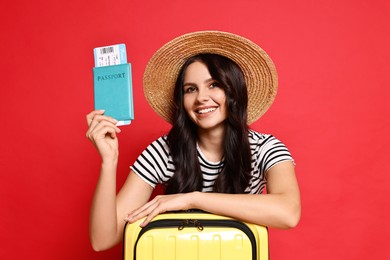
{"x":235,"y":174}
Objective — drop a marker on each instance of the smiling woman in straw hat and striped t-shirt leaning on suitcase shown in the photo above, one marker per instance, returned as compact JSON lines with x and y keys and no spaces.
{"x":210,"y":160}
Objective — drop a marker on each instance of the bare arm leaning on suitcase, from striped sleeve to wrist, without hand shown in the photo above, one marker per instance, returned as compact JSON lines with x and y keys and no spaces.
{"x":279,"y":208}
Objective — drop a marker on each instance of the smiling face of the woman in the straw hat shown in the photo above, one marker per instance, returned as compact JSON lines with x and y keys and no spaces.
{"x":204,"y":99}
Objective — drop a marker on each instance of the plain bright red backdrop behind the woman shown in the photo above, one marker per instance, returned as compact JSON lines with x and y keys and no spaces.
{"x":332,"y":111}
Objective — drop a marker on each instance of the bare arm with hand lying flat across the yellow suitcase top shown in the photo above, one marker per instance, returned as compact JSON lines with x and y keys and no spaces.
{"x":279,"y":208}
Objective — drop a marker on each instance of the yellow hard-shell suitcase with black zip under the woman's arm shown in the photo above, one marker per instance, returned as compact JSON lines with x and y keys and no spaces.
{"x":195,"y":236}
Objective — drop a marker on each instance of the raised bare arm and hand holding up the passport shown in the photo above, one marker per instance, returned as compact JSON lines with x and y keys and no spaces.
{"x":108,"y":209}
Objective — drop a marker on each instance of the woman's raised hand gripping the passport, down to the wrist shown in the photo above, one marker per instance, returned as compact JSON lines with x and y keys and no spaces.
{"x":102,"y":132}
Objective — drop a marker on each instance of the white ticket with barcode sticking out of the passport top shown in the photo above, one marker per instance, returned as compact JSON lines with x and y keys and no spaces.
{"x":110,"y":55}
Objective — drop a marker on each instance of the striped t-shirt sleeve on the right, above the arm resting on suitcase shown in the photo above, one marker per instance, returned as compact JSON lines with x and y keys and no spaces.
{"x":271,"y":152}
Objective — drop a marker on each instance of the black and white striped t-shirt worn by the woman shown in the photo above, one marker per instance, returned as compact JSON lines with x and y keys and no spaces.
{"x":155,"y":164}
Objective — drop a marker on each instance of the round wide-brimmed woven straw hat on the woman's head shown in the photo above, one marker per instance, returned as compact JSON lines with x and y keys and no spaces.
{"x":163,"y":68}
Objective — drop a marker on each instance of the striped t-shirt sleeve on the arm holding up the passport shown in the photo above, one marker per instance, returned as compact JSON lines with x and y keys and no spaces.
{"x":151,"y":164}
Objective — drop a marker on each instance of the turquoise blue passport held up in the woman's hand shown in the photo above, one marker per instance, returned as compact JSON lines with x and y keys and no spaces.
{"x":113,"y":92}
